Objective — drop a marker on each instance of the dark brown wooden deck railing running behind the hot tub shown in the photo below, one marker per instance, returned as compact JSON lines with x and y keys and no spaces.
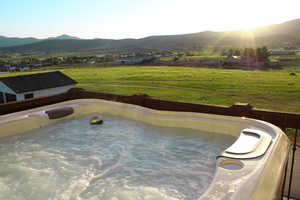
{"x":284,"y":120}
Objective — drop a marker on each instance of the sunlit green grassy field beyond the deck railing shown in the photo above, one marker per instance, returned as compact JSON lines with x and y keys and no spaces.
{"x":275,"y":90}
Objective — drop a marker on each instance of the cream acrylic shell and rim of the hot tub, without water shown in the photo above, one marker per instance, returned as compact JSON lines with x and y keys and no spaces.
{"x":250,"y":176}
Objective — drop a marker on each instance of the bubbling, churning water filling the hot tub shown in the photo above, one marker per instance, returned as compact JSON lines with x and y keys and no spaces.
{"x":119,"y":160}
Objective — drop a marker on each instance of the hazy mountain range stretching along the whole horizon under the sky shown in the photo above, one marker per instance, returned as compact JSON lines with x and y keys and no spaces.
{"x":273,"y":36}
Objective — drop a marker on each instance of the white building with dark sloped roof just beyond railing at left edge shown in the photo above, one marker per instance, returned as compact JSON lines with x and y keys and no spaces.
{"x":22,"y":87}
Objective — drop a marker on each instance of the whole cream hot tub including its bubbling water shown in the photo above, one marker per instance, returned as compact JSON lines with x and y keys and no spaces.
{"x":207,"y":156}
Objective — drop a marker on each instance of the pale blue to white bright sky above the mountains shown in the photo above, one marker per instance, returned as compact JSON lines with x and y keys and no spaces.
{"x":116,"y":19}
